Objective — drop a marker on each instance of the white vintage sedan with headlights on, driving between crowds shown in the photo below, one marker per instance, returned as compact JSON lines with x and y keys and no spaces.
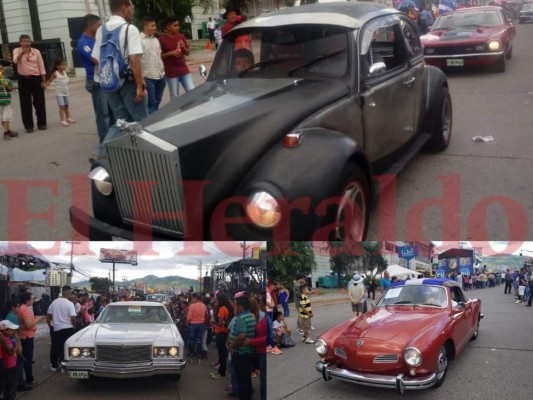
{"x":128,"y":340}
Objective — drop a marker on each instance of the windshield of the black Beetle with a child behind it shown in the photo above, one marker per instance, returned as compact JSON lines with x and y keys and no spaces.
{"x":286,"y":51}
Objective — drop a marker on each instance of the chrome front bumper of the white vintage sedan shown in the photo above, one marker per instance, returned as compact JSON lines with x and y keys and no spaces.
{"x":124,"y":371}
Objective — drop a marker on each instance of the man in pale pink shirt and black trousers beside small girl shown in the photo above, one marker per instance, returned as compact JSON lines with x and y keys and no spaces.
{"x":31,"y":83}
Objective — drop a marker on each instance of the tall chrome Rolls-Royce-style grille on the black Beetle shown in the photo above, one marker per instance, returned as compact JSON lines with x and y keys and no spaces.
{"x":149,"y":167}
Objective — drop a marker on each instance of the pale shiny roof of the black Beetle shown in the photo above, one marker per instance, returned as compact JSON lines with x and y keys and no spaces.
{"x":342,"y":13}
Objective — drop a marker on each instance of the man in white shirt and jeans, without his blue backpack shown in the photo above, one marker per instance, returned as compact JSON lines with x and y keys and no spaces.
{"x":128,"y":102}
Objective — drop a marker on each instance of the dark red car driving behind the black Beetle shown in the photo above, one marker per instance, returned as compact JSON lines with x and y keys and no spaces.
{"x":476,"y":36}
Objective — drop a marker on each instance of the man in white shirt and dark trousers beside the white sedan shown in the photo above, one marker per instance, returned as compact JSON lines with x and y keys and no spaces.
{"x":62,"y":315}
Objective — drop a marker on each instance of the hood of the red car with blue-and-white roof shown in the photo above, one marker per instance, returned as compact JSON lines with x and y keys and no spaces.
{"x":394,"y":323}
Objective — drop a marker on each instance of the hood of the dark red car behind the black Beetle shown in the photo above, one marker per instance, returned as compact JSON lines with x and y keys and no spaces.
{"x":461,"y":35}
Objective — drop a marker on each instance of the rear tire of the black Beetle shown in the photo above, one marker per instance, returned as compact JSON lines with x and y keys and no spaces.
{"x":442,"y":118}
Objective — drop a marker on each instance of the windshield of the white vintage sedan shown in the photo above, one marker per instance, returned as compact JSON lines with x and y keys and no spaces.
{"x":134,"y":314}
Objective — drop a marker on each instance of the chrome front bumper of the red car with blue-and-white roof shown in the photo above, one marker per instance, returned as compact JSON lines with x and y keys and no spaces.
{"x":399,"y":382}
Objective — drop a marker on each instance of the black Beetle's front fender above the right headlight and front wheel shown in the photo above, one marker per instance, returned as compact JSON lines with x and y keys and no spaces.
{"x":293,"y":173}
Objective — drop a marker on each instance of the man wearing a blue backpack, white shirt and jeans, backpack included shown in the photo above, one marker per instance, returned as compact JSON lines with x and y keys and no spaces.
{"x":118,"y":51}
